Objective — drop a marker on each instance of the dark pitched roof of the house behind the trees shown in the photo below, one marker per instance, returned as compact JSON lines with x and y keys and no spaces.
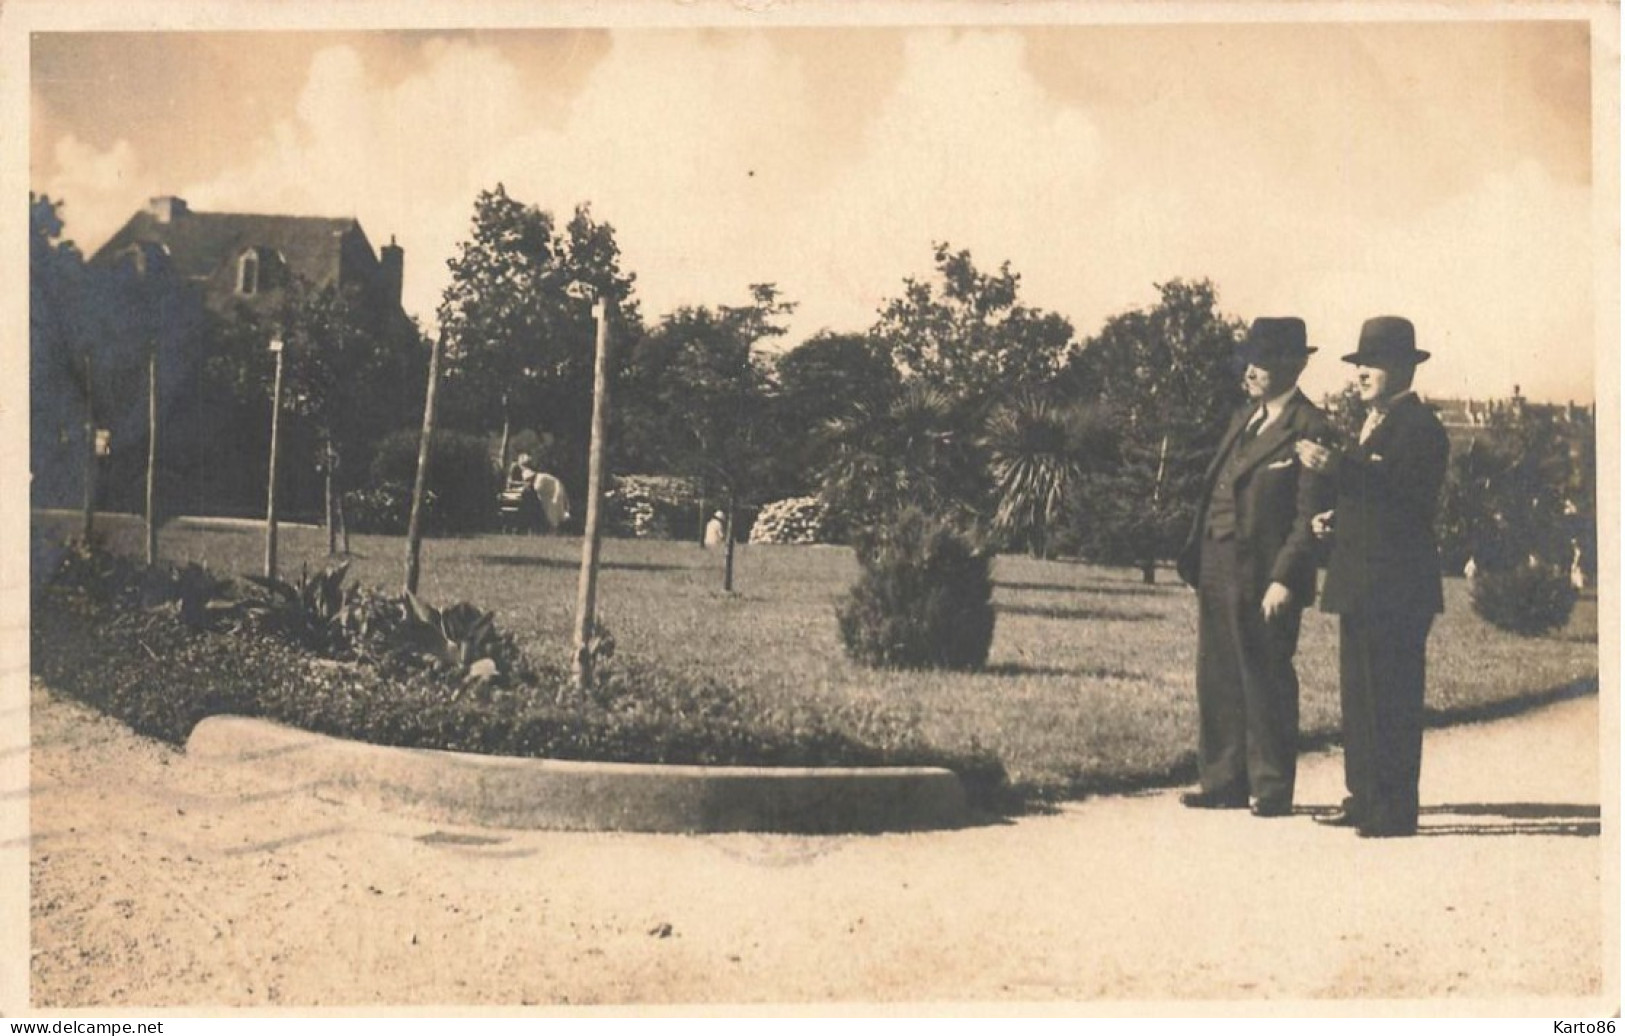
{"x":201,"y":243}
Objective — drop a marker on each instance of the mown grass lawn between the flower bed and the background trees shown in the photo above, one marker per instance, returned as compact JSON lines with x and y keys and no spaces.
{"x":1091,"y":676}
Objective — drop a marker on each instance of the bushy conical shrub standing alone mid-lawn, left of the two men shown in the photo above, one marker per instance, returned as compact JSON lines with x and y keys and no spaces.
{"x":924,"y":598}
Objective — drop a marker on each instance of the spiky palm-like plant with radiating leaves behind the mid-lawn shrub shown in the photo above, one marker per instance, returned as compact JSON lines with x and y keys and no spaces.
{"x":1039,"y":449}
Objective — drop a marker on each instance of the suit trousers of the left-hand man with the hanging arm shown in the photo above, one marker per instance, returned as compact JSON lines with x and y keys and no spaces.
{"x":1247,"y":691}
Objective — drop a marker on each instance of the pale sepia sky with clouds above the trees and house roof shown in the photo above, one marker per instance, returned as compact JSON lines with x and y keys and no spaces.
{"x":1332,"y":171}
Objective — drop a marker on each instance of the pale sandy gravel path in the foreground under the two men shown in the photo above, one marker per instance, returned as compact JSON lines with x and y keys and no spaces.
{"x":162,"y":881}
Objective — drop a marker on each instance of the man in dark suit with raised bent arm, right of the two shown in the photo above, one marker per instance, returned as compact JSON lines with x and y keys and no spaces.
{"x":1384,"y":579}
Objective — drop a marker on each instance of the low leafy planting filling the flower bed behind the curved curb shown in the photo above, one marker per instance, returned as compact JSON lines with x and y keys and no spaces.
{"x":163,"y":678}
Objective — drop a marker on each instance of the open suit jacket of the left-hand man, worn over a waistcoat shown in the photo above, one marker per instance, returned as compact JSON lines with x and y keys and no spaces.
{"x":1275,"y":501}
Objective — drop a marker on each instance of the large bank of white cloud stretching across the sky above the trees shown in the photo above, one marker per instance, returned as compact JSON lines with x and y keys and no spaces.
{"x":709,"y":157}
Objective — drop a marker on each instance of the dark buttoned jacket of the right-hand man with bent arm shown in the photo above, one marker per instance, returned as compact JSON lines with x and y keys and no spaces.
{"x":1384,"y":556}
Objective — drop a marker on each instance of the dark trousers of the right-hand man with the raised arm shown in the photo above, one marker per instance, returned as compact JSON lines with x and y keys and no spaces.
{"x":1384,"y":675}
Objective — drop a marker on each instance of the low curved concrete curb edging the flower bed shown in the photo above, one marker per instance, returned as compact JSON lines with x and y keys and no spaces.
{"x":578,"y":796}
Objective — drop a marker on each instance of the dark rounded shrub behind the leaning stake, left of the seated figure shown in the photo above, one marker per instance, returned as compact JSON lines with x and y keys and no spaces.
{"x":461,"y":491}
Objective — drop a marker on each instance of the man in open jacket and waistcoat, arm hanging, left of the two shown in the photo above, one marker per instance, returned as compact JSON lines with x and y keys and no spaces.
{"x":1252,"y":559}
